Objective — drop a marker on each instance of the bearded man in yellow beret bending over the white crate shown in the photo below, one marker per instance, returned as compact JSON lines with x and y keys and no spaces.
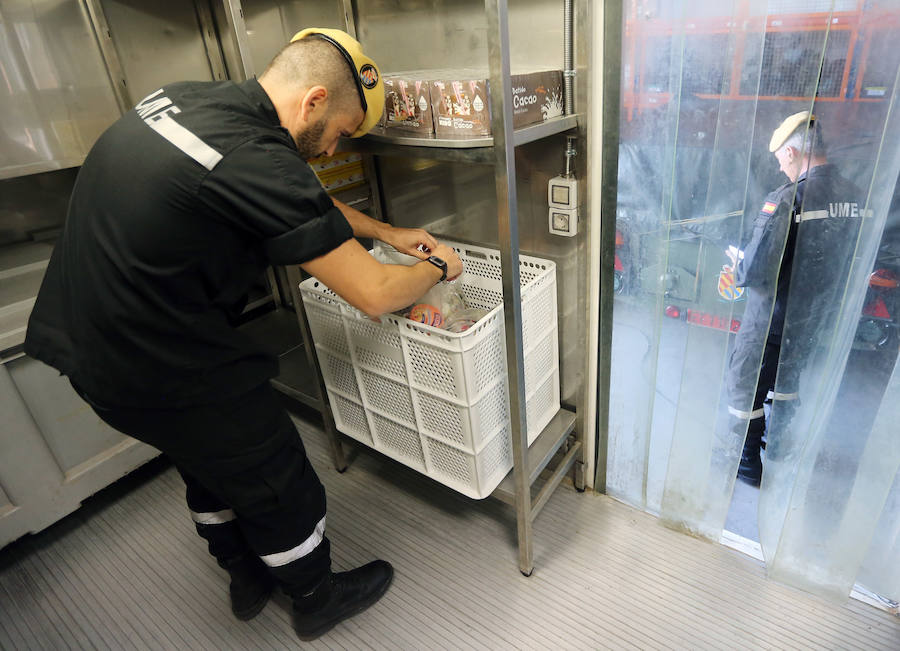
{"x":178,"y":208}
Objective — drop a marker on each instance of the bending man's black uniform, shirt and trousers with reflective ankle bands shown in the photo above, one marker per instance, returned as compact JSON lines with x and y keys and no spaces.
{"x":177,"y":210}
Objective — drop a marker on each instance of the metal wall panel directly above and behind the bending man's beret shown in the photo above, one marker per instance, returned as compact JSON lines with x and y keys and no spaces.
{"x":271,"y":24}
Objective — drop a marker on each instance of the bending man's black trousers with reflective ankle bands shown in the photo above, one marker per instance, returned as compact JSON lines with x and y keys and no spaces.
{"x":250,"y":486}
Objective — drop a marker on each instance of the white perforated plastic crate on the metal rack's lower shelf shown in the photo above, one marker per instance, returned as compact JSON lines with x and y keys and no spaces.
{"x":434,"y":400}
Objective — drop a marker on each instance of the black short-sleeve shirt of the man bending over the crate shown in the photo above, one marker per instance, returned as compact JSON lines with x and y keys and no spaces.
{"x":176,"y":211}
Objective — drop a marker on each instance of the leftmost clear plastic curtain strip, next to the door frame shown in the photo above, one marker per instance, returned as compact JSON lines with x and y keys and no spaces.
{"x":637,"y":448}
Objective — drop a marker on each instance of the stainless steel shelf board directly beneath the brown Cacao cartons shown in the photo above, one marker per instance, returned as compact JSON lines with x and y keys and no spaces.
{"x":390,"y":142}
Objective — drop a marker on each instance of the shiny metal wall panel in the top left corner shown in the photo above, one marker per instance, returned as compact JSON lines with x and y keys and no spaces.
{"x":56,"y":97}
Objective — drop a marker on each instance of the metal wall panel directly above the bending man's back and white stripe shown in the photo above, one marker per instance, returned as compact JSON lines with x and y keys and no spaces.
{"x":158,"y":42}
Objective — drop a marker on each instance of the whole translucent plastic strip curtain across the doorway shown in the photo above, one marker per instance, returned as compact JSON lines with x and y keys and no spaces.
{"x":704,"y":86}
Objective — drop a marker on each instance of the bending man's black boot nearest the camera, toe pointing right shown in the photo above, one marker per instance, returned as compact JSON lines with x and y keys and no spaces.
{"x":340,"y":596}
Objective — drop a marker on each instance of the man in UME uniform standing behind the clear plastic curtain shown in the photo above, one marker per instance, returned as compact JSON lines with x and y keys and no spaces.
{"x":803,"y":235}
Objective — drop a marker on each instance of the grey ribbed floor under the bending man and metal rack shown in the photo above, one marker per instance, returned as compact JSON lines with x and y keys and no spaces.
{"x":127,"y":571}
